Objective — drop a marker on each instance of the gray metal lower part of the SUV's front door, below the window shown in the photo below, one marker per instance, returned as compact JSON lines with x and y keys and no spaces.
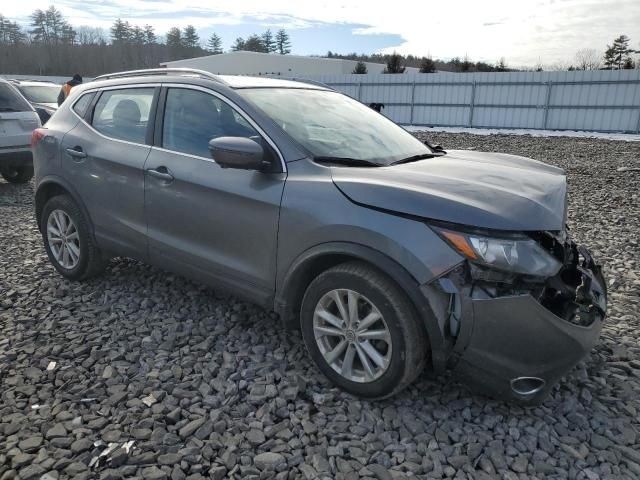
{"x":219,"y":224}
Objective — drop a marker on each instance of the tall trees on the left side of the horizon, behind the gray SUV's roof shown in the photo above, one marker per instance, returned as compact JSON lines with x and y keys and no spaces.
{"x":50,"y":45}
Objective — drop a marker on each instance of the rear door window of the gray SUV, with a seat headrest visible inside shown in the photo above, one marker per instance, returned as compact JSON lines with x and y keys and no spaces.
{"x":124,"y":114}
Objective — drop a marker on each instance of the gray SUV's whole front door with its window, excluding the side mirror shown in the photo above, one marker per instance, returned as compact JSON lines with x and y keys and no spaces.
{"x":218,"y":225}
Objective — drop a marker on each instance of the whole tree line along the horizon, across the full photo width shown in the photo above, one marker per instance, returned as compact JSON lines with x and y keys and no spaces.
{"x":50,"y":45}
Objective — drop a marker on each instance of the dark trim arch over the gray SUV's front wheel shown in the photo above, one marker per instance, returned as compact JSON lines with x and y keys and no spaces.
{"x":309,"y":264}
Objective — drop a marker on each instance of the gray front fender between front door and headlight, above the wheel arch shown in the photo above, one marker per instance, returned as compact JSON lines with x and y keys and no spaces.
{"x":315,"y":212}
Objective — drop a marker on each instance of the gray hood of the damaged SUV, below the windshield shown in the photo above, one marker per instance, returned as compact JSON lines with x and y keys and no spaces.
{"x":487,"y":190}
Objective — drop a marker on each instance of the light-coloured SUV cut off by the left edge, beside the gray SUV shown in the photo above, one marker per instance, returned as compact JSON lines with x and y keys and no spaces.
{"x":17,"y":120}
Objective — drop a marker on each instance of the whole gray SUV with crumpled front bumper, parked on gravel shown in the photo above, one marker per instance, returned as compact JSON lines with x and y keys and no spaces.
{"x":390,"y":254}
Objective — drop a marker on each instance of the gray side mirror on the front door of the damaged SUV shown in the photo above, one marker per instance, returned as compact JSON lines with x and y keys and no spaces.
{"x":237,"y":152}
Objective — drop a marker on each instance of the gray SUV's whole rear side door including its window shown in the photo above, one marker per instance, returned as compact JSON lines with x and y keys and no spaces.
{"x":103,"y":158}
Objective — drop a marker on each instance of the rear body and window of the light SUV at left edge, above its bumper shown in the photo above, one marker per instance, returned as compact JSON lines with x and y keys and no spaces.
{"x":17,"y":120}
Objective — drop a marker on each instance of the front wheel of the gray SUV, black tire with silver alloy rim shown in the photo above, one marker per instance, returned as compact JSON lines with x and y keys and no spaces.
{"x":401,"y":351}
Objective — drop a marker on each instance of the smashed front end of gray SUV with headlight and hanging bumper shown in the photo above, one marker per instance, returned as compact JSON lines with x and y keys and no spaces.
{"x":513,"y":334}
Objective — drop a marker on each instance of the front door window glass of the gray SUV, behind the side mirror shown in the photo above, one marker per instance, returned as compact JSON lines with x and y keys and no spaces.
{"x":192,"y":118}
